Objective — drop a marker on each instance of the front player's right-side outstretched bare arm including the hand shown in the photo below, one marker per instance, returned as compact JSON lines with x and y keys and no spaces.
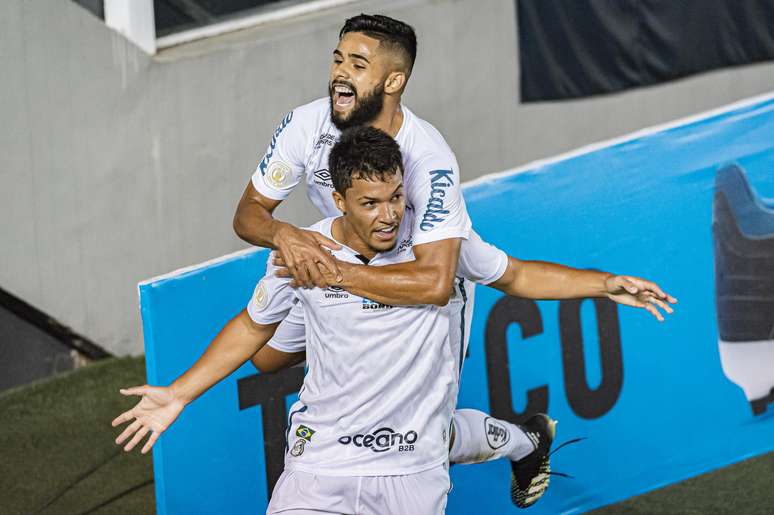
{"x":543,"y":280}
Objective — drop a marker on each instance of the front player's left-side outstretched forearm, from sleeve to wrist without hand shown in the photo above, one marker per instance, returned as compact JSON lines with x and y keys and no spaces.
{"x":237,"y":342}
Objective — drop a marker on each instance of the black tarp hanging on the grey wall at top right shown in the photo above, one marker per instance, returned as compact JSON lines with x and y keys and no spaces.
{"x":578,"y":48}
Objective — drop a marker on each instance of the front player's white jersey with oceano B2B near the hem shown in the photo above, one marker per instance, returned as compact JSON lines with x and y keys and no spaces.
{"x":382,"y":380}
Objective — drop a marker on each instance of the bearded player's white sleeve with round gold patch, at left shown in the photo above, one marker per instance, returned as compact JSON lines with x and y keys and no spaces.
{"x":282,"y":167}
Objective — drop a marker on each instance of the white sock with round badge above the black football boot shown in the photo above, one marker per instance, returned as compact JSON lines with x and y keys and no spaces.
{"x":479,"y":437}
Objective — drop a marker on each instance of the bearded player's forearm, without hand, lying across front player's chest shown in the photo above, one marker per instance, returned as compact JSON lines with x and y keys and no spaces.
{"x":404,"y":284}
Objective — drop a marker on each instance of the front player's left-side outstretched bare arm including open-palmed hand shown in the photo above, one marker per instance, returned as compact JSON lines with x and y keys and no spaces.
{"x":159,"y":407}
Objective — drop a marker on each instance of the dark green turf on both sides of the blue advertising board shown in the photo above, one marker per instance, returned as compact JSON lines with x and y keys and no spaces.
{"x":59,"y":457}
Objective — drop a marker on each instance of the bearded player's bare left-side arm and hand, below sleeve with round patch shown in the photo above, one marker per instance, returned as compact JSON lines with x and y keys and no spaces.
{"x":301,"y":250}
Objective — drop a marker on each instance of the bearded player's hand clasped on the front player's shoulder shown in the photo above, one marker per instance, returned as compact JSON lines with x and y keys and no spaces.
{"x":304,"y":253}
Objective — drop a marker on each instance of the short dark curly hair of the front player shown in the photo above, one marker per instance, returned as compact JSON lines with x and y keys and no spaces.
{"x":363,"y":152}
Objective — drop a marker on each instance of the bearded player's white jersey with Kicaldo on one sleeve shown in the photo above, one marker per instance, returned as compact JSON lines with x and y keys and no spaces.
{"x":300,"y":148}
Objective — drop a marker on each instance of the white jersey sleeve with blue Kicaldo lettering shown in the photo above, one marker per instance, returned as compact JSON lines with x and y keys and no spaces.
{"x":433,"y":191}
